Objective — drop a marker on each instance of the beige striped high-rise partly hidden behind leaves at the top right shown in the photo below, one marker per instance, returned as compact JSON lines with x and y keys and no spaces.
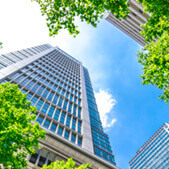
{"x":132,"y":24}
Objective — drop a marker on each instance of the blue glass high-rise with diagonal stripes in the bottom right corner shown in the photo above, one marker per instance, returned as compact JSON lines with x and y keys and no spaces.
{"x":154,"y":154}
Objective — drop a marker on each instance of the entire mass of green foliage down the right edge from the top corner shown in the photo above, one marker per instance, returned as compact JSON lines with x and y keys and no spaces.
{"x":155,"y":55}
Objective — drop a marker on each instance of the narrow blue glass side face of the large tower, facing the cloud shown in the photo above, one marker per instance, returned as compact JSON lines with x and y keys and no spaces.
{"x":101,"y":142}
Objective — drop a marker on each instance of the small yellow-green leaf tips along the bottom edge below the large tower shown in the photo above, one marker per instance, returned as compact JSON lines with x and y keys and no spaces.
{"x":70,"y":164}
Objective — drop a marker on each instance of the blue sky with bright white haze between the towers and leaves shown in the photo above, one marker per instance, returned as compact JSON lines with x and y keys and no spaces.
{"x":110,"y":57}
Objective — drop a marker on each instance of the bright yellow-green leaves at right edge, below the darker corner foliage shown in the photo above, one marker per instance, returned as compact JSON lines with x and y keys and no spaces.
{"x":155,"y":60}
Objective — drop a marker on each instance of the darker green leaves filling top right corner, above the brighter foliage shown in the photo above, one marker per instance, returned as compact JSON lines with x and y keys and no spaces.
{"x":158,"y":23}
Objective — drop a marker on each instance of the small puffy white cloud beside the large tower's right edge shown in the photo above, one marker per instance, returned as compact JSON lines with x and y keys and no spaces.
{"x":105,"y":103}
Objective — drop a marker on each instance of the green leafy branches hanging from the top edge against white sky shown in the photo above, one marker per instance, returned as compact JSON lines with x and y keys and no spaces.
{"x":61,"y":14}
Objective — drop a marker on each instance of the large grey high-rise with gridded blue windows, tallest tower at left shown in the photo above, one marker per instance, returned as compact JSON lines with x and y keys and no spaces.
{"x":60,"y":87}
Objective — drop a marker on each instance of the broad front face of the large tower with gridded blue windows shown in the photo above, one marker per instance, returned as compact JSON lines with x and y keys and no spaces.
{"x":52,"y":83}
